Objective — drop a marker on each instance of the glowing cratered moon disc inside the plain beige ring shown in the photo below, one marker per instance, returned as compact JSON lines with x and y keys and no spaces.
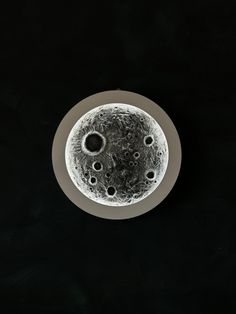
{"x":116,"y":154}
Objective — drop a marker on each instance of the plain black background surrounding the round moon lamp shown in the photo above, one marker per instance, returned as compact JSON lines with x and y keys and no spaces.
{"x":178,"y":258}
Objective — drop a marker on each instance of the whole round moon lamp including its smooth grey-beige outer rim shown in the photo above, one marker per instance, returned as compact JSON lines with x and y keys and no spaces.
{"x":116,"y":154}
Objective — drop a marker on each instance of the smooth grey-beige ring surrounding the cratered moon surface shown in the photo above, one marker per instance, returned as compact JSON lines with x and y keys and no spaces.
{"x":106,"y":211}
